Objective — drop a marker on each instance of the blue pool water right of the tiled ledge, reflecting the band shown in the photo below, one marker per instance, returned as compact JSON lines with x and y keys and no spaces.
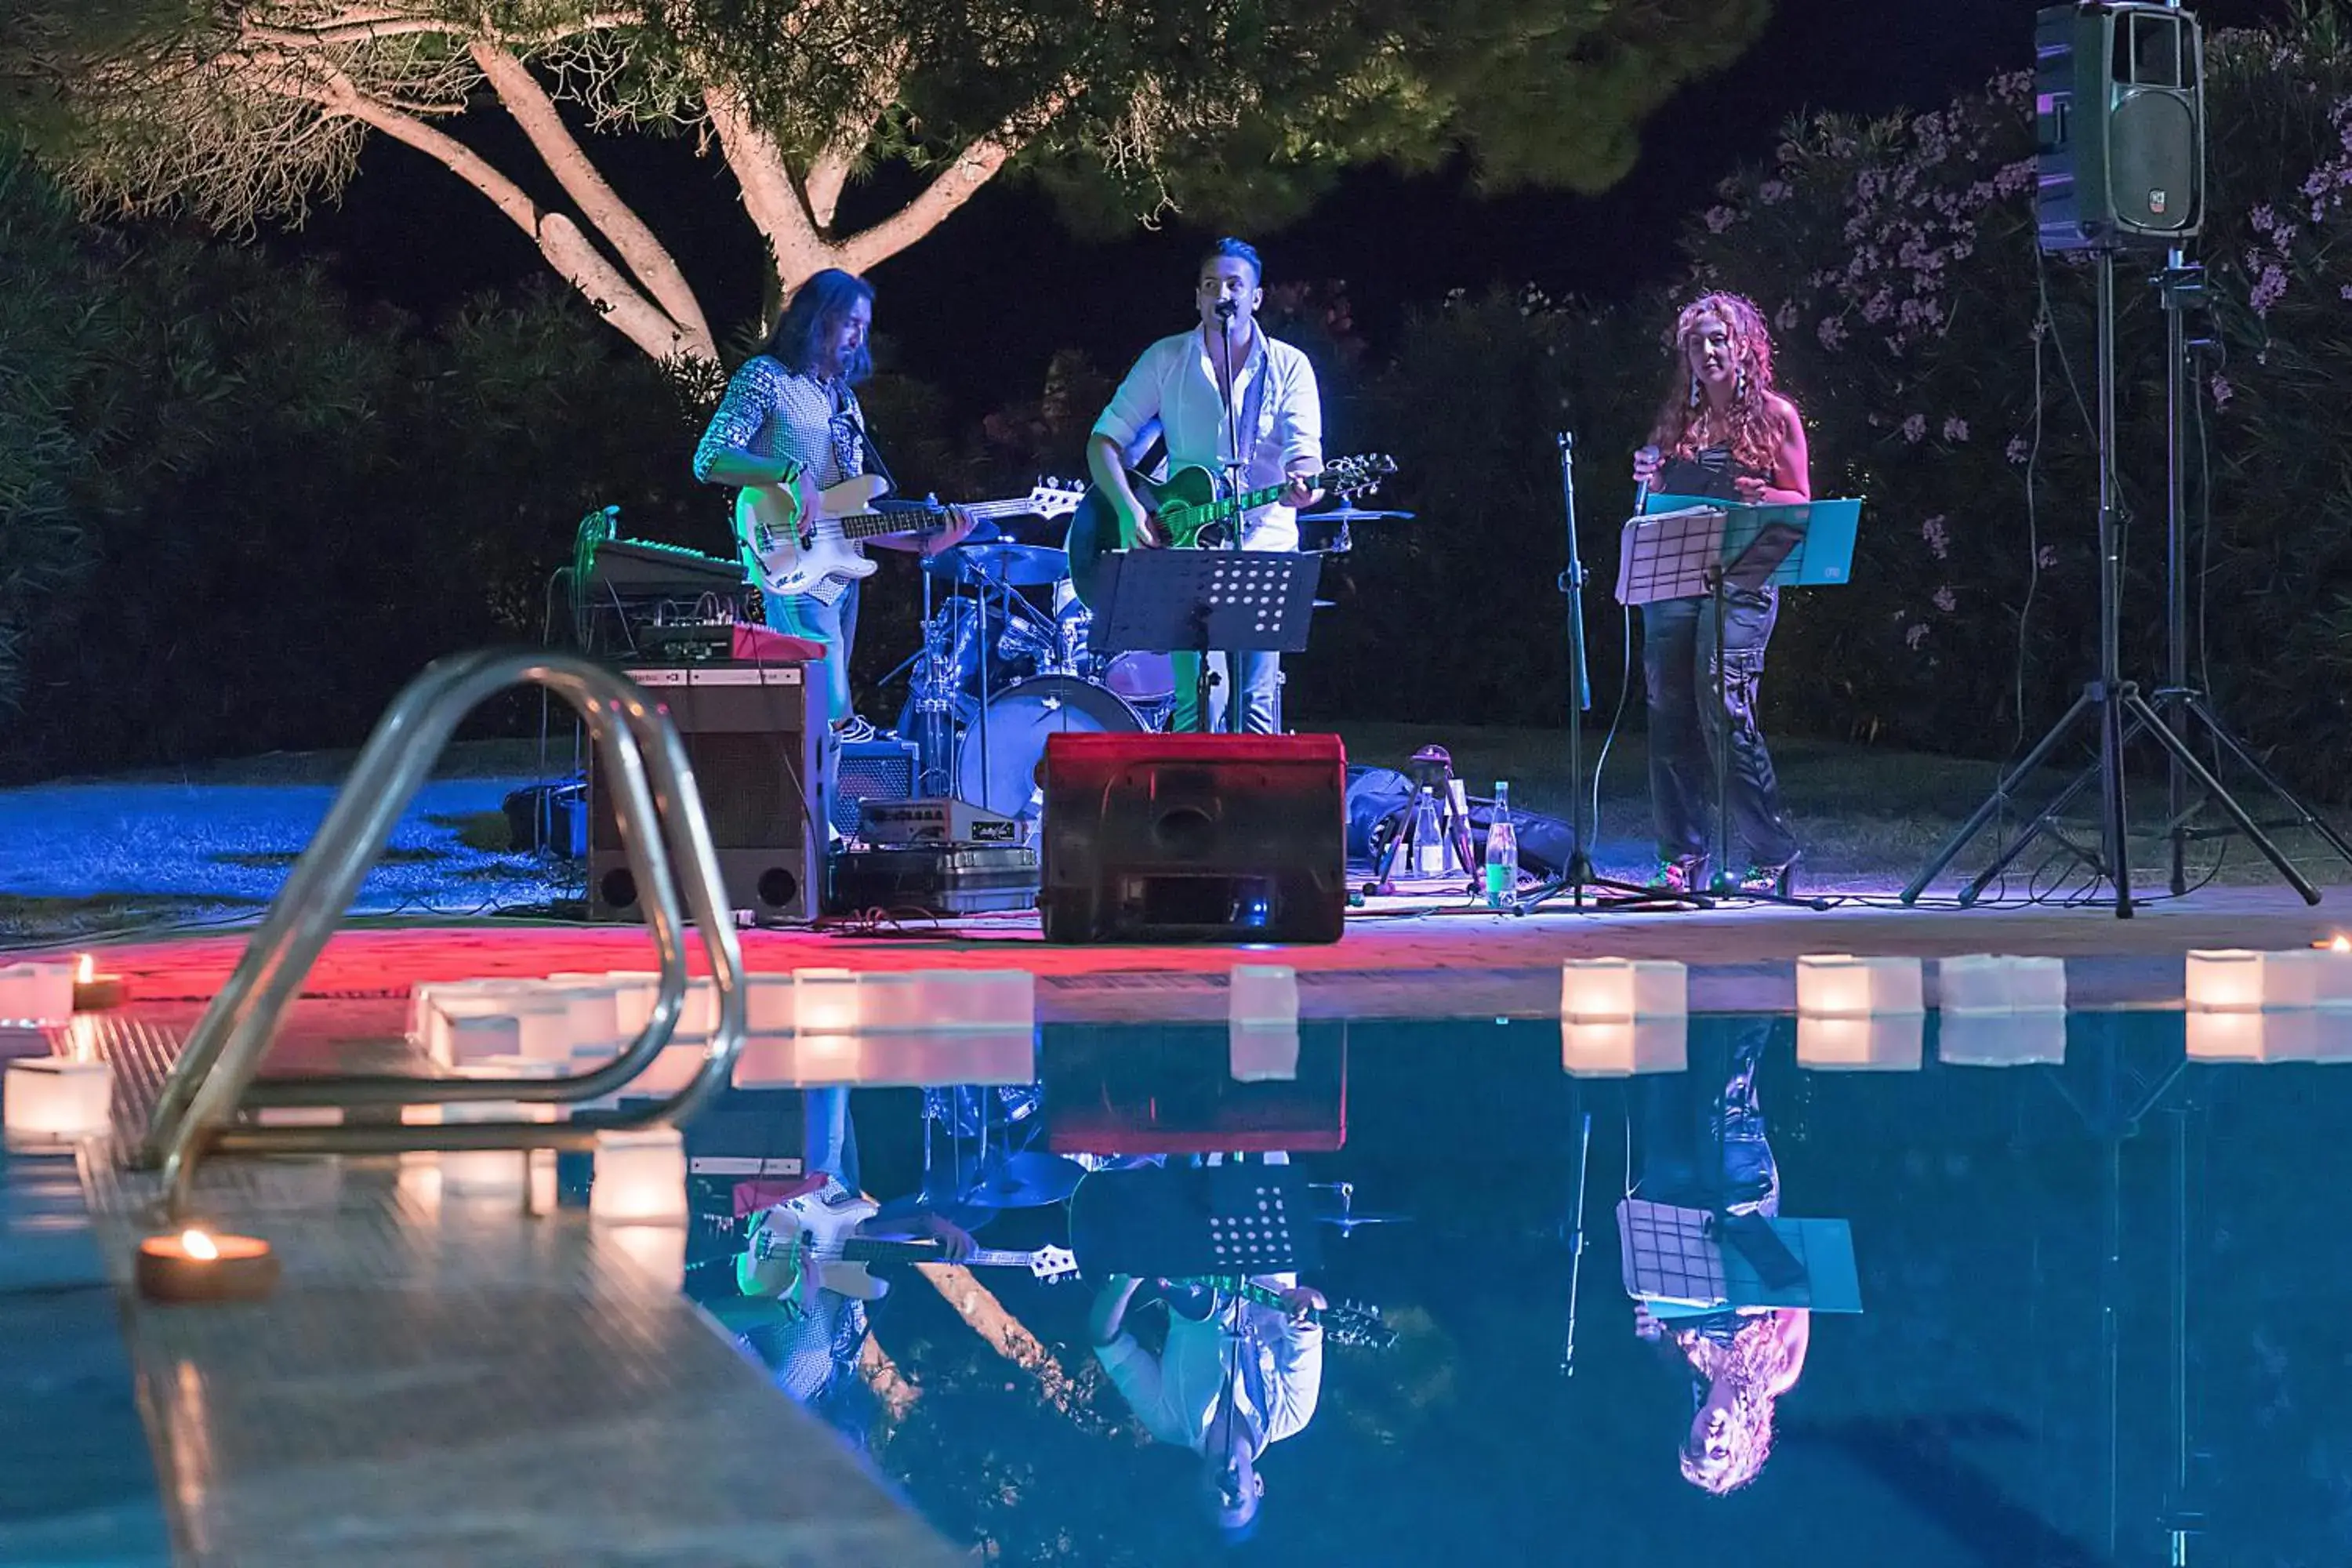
{"x":2099,"y":1299}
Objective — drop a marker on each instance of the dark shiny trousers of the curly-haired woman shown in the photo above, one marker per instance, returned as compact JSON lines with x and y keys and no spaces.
{"x":1678,"y":666}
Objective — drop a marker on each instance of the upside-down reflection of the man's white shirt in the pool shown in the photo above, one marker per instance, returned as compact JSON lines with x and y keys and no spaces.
{"x":1177,"y":1393}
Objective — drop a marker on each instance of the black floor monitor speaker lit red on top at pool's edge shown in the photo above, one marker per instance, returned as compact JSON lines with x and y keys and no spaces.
{"x":1194,"y":838}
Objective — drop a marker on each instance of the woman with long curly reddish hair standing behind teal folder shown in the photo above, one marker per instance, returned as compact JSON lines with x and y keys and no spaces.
{"x":1725,"y":431}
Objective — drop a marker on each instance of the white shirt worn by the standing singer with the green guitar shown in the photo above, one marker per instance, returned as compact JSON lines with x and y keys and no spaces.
{"x":1175,"y":391}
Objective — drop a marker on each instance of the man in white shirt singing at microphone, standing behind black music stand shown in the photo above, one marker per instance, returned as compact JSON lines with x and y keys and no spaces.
{"x":1220,"y":394}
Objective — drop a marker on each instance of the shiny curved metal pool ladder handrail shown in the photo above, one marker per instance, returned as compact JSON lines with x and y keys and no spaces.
{"x":660,"y":822}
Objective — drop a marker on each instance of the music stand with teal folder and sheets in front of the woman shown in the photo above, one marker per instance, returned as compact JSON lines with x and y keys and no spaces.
{"x":1697,"y":549}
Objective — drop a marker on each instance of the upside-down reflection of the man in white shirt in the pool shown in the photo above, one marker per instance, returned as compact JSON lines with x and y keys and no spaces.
{"x":1224,"y":1386}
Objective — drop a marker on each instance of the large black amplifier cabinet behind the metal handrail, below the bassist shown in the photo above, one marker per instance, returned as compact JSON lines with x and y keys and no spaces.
{"x":756,"y":751}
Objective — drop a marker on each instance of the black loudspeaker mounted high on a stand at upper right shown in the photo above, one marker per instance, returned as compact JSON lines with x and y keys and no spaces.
{"x":2120,"y":126}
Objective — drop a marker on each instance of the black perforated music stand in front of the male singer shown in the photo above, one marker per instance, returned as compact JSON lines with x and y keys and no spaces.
{"x":1205,"y":603}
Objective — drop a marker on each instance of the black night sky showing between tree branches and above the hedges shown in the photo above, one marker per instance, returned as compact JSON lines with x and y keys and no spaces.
{"x":984,"y":302}
